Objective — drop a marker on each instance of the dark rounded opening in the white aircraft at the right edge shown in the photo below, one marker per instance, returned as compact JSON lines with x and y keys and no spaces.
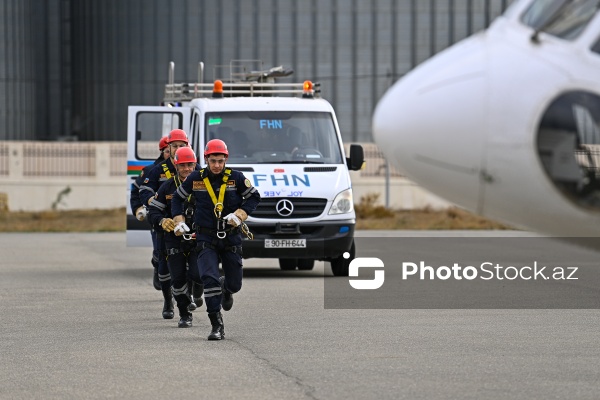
{"x":569,"y":146}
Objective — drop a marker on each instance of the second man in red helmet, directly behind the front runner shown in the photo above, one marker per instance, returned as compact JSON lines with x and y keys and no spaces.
{"x":181,"y":251}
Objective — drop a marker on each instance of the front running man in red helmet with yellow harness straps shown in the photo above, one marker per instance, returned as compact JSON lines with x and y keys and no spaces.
{"x":224,"y":199}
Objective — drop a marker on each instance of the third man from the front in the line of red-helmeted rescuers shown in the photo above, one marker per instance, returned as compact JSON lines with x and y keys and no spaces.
{"x":157,"y":176}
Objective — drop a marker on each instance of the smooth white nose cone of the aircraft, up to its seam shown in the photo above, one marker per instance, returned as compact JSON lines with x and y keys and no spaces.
{"x":430,"y":124}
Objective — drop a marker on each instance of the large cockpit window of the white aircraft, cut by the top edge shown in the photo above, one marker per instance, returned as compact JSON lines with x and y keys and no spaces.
{"x":565,"y":19}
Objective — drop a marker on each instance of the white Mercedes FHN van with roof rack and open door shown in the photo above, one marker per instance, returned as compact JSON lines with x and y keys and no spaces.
{"x":289,"y":147}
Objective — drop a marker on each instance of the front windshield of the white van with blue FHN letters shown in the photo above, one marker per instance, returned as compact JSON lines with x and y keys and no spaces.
{"x":256,"y":137}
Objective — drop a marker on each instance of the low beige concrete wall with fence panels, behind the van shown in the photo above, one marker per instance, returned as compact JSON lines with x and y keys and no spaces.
{"x":38,"y":176}
